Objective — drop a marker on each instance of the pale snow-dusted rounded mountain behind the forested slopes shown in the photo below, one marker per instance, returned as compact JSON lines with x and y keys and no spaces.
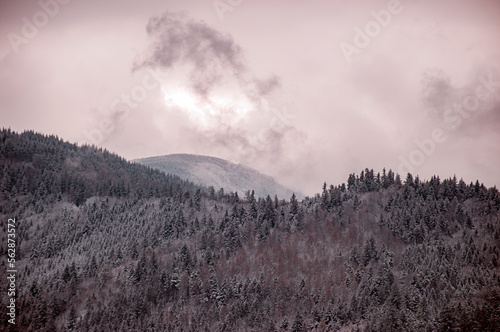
{"x":219,"y":173}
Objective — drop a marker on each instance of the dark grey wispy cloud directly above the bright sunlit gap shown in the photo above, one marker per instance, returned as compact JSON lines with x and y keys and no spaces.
{"x":179,"y":40}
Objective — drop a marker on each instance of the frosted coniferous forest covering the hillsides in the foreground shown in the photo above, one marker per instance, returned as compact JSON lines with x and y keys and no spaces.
{"x":103,"y":244}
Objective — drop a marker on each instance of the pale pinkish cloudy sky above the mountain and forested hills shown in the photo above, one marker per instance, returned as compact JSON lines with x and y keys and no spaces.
{"x":307,"y":92}
